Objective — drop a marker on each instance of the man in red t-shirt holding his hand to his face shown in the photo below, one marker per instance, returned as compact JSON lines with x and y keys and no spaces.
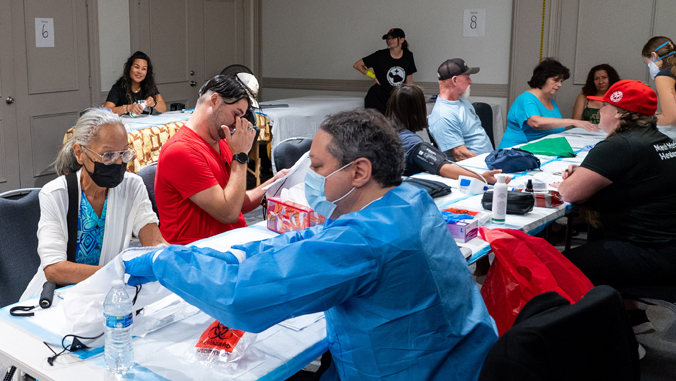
{"x":200,"y":184}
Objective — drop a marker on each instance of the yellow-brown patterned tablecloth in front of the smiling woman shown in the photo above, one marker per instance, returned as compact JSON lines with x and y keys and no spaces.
{"x":146,"y":142}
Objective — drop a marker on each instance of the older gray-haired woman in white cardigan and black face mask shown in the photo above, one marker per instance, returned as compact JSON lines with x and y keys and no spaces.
{"x":112,"y":204}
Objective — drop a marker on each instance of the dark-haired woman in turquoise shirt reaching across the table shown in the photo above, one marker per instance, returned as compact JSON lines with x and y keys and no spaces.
{"x":534,"y":114}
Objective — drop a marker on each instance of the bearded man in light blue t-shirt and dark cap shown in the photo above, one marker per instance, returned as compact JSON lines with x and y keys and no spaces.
{"x":453,"y":122}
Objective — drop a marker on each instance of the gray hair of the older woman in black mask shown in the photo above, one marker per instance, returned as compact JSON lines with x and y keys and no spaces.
{"x":84,"y":132}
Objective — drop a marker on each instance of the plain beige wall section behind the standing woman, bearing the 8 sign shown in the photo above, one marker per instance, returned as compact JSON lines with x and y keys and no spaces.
{"x":321,"y":39}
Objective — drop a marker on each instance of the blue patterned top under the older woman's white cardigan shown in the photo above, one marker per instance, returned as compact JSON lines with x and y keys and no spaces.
{"x":90,"y":228}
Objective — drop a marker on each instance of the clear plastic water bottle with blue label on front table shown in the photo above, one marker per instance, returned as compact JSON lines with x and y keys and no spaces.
{"x":118,"y":315}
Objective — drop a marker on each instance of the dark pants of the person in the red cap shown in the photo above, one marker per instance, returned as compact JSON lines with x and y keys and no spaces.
{"x":621,"y":263}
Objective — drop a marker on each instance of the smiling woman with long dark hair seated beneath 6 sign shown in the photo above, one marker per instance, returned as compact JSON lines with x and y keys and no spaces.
{"x":135,"y":87}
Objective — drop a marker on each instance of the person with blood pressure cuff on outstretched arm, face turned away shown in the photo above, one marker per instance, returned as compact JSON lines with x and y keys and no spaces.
{"x":406,"y":109}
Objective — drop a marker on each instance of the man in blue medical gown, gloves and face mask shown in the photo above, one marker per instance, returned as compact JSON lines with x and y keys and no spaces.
{"x":399,"y":300}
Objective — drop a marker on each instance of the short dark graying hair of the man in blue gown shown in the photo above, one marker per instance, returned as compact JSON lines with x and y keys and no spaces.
{"x":367,"y":134}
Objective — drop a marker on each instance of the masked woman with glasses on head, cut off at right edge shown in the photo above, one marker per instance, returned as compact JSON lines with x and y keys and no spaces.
{"x":659,"y":53}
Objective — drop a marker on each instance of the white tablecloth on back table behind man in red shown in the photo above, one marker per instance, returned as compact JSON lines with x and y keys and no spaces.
{"x":304,"y":115}
